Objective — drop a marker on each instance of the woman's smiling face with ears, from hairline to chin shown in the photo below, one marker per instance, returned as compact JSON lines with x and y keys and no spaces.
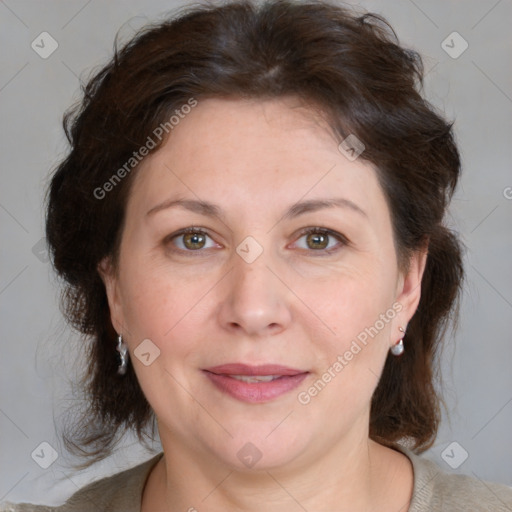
{"x":249,"y":287}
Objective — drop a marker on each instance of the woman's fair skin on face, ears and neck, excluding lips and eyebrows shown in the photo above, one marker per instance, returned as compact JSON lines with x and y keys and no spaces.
{"x":291,"y":306}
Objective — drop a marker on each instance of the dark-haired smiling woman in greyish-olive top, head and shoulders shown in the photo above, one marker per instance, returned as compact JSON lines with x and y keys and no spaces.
{"x":250,"y":225}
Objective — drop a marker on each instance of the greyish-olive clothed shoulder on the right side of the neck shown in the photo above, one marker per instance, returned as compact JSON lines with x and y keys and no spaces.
{"x":437,"y":490}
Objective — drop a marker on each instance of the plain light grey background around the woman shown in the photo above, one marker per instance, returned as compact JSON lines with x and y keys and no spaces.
{"x":38,"y":349}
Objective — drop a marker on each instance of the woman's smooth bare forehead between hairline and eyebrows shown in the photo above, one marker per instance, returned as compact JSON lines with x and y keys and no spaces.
{"x":241,"y":151}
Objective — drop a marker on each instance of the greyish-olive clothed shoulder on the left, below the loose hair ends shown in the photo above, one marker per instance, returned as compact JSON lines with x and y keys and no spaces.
{"x":120,"y":492}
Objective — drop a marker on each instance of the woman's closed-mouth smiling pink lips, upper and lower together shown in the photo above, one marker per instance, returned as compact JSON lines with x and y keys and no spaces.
{"x":255,"y":393}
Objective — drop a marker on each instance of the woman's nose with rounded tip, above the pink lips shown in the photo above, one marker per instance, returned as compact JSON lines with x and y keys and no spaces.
{"x":256,"y":299}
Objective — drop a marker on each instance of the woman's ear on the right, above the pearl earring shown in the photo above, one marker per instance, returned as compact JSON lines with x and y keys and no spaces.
{"x":409,"y":285}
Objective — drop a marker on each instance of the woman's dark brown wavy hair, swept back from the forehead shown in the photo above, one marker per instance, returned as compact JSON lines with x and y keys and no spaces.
{"x":349,"y":64}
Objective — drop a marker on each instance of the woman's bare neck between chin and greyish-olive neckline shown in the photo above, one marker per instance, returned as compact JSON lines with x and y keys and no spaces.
{"x":354,"y":475}
